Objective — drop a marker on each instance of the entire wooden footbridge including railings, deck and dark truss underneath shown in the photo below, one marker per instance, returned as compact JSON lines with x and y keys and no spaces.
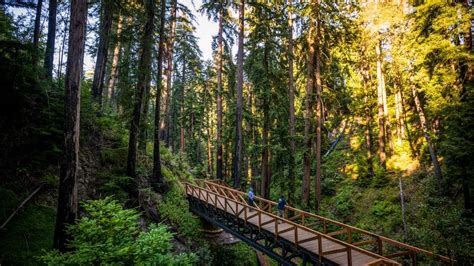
{"x":300,"y":237}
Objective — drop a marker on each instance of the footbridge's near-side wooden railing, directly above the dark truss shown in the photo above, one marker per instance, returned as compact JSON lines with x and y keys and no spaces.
{"x":275,"y":219}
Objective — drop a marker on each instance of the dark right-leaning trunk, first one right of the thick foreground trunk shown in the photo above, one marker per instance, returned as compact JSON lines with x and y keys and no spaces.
{"x":102,"y":50}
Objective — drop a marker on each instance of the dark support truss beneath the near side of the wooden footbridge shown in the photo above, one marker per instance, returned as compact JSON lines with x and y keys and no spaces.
{"x":277,"y":248}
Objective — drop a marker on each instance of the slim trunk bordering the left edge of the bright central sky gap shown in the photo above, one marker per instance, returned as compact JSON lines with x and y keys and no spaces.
{"x":169,"y":71}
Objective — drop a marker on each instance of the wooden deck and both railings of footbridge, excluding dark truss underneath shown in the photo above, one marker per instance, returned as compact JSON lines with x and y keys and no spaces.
{"x":331,"y":240}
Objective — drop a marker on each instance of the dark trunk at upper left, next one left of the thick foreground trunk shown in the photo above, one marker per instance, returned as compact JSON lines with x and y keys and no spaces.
{"x":49,"y":55}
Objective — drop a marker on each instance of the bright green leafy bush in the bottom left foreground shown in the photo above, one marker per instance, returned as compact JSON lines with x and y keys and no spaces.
{"x":109,"y":234}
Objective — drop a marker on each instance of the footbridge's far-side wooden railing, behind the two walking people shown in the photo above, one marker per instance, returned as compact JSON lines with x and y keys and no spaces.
{"x":300,"y":214}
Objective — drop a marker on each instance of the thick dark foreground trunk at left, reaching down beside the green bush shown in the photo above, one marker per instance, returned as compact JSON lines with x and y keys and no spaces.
{"x":67,"y":198}
